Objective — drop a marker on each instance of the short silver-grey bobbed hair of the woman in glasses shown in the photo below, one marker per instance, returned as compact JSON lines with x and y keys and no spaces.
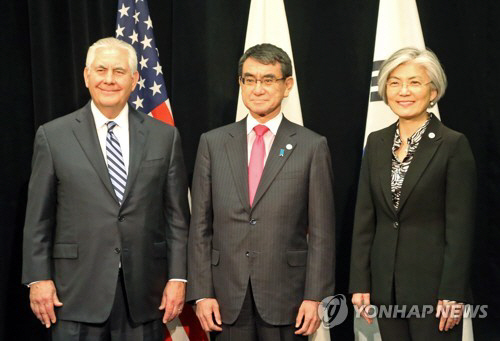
{"x":426,"y":58}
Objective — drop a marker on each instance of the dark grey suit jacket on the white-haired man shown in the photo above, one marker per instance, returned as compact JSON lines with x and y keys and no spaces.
{"x":76,"y":233}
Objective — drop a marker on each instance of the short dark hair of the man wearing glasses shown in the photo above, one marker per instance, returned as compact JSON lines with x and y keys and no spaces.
{"x":267,"y":54}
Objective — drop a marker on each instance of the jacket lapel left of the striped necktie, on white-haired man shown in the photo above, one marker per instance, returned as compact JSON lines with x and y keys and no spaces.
{"x":86,"y":134}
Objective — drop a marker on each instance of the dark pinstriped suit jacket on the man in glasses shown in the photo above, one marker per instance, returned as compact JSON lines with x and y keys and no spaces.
{"x":231,"y":243}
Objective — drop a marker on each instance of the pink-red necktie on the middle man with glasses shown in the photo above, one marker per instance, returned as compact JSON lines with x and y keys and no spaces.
{"x":257,"y":157}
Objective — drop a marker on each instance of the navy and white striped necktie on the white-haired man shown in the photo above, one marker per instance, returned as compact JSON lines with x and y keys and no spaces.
{"x":116,"y":166}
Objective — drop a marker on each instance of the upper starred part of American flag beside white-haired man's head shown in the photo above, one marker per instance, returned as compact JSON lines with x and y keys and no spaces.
{"x":134,"y":26}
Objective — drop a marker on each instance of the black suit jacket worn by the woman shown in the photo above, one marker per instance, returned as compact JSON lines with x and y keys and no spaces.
{"x":424,"y":247}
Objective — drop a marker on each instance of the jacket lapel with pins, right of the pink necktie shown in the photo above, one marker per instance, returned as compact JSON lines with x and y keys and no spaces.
{"x":284,"y":138}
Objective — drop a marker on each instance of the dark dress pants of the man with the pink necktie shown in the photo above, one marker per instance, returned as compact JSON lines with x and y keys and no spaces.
{"x":249,"y":326}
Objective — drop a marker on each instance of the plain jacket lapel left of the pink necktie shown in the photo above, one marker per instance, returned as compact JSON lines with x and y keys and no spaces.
{"x":237,"y":154}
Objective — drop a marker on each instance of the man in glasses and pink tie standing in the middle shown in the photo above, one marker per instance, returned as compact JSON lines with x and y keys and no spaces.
{"x":261,"y":242}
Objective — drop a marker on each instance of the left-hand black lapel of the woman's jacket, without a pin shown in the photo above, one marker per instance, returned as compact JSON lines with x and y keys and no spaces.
{"x":384,"y":160}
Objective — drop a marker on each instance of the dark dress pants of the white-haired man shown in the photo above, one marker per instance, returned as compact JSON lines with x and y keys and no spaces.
{"x":118,"y":327}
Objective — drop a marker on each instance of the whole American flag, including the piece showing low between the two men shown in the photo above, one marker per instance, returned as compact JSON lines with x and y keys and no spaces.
{"x":134,"y":26}
